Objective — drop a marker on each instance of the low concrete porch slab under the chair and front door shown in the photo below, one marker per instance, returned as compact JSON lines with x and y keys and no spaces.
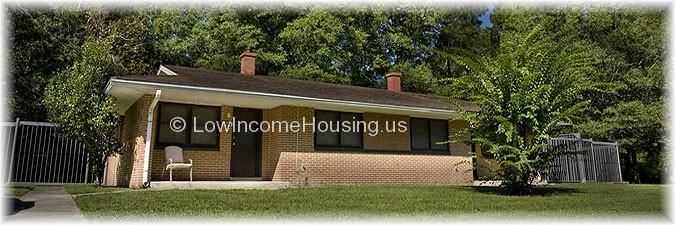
{"x":217,"y":185}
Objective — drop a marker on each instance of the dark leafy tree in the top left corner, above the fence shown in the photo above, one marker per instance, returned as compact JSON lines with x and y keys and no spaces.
{"x":42,"y":41}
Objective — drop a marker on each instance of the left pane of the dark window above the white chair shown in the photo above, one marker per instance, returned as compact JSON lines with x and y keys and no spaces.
{"x":168,"y":112}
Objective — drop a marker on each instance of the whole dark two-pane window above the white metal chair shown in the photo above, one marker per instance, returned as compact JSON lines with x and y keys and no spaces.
{"x":187,"y":138}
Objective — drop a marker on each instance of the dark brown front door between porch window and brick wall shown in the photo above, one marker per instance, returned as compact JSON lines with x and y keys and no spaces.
{"x":245,"y":160}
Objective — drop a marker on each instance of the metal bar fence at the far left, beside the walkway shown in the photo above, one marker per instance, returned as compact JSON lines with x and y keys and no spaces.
{"x":36,"y":153}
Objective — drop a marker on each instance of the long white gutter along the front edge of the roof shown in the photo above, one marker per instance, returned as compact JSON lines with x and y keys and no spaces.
{"x":341,"y":102}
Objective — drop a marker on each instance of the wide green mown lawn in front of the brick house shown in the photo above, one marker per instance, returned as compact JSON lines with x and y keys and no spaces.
{"x":559,"y":200}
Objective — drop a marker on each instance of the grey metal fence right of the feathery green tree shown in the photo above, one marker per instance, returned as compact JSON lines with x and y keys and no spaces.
{"x":584,"y":160}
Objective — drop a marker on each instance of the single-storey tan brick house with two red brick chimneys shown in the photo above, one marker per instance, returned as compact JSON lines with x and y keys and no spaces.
{"x":412,"y":157}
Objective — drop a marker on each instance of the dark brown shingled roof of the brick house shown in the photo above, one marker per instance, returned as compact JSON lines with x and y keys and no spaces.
{"x":275,"y":85}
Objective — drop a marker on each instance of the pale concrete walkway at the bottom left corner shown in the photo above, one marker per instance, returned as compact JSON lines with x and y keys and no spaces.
{"x":46,"y":204}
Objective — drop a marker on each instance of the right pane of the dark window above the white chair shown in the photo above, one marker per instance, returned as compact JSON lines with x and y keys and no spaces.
{"x":201,"y":115}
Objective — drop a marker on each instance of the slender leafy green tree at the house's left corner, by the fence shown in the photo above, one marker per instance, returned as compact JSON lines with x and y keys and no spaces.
{"x":75,"y":100}
